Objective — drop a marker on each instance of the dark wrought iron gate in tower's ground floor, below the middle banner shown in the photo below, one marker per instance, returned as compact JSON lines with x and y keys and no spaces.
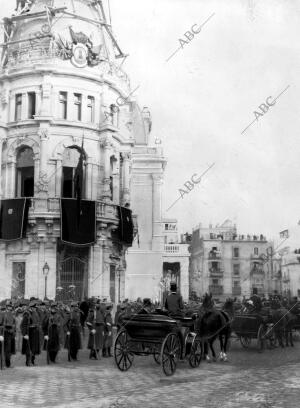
{"x":72,"y":280}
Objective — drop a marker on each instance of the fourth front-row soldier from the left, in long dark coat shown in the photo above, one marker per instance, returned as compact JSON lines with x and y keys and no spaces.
{"x":73,"y":331}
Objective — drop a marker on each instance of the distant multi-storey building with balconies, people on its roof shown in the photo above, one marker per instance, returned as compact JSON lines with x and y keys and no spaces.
{"x":225,"y":263}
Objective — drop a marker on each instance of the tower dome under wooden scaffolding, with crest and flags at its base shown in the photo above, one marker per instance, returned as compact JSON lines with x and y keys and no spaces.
{"x":73,"y":31}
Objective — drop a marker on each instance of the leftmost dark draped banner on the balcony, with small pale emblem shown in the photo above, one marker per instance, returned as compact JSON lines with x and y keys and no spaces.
{"x":13,"y":218}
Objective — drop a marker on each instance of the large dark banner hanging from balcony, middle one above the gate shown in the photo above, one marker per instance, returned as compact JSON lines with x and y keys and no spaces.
{"x":78,"y":228}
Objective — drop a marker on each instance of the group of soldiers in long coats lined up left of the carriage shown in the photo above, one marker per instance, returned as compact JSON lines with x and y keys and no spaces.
{"x":30,"y":326}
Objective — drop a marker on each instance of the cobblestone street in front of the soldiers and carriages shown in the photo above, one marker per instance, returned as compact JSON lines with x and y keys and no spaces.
{"x":249,"y":379}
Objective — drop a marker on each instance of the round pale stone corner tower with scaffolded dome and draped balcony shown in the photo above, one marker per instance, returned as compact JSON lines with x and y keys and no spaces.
{"x":66,"y":139}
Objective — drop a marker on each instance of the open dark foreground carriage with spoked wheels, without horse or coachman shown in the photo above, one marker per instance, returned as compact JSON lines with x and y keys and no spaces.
{"x":168,"y":339}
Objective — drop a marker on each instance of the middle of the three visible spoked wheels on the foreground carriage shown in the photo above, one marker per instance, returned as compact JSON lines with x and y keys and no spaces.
{"x":170,"y":353}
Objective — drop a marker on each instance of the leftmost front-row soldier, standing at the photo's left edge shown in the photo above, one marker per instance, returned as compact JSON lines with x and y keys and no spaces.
{"x":7,"y":333}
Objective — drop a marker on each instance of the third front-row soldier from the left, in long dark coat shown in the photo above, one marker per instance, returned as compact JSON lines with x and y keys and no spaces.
{"x":51,"y":329}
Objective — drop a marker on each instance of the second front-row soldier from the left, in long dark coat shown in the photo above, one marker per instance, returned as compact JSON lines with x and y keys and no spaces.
{"x":30,"y":327}
